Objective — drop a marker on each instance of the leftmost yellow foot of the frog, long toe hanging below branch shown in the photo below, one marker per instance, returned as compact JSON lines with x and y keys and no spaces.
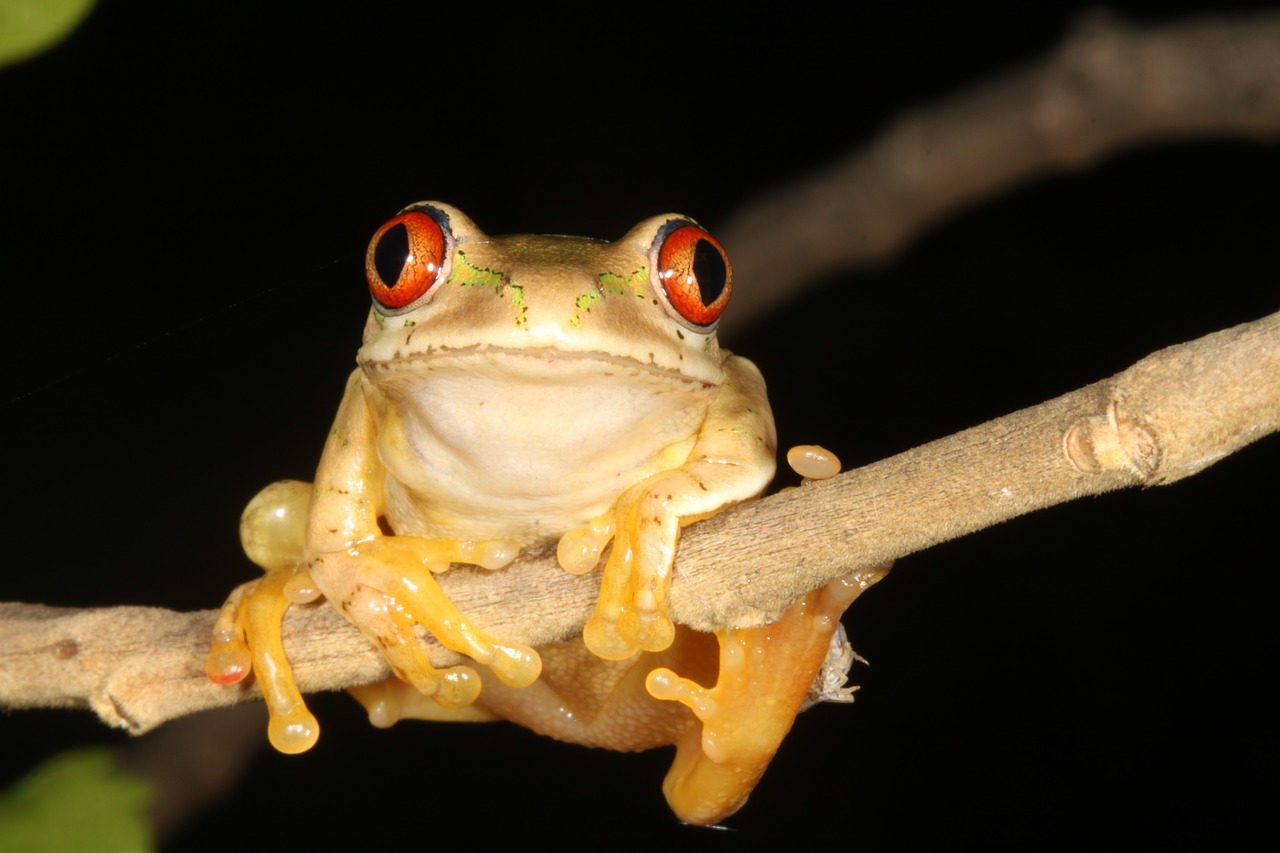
{"x":248,"y":637}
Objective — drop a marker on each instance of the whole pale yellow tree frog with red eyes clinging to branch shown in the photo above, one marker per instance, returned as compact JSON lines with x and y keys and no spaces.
{"x":522,"y":393}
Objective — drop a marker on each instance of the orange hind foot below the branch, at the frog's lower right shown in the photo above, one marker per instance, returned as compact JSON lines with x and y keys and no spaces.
{"x":765,"y":676}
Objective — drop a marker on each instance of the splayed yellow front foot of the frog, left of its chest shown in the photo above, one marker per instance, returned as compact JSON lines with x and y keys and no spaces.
{"x":386,"y":589}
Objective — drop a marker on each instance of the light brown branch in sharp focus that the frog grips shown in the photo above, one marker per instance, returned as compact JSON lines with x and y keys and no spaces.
{"x":1168,"y":417}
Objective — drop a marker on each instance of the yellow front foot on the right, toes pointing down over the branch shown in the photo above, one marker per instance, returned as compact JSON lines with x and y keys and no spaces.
{"x":632,"y":613}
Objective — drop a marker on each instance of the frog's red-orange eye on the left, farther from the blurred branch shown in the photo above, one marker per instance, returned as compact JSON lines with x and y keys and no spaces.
{"x":405,"y":259}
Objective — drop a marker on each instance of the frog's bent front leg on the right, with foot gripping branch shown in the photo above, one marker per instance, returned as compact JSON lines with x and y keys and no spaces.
{"x":732,"y":462}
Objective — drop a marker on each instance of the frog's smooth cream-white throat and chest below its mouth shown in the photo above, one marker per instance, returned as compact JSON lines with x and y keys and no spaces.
{"x":470,"y":453}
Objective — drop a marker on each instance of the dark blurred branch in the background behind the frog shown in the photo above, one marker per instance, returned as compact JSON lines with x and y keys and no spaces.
{"x":1108,"y":88}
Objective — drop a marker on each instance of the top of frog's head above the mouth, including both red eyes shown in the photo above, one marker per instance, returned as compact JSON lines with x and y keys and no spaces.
{"x":444,"y":289}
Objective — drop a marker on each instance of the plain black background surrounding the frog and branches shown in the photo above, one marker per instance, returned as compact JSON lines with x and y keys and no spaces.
{"x":186,"y":200}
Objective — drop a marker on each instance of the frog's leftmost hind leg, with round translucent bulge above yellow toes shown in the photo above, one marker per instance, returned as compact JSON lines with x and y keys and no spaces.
{"x":248,"y":633}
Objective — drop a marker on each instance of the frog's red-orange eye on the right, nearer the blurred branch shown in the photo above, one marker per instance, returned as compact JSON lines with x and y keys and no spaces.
{"x":694,"y":273}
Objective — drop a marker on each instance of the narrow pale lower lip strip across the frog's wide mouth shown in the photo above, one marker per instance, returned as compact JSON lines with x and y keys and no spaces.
{"x":542,"y":366}
